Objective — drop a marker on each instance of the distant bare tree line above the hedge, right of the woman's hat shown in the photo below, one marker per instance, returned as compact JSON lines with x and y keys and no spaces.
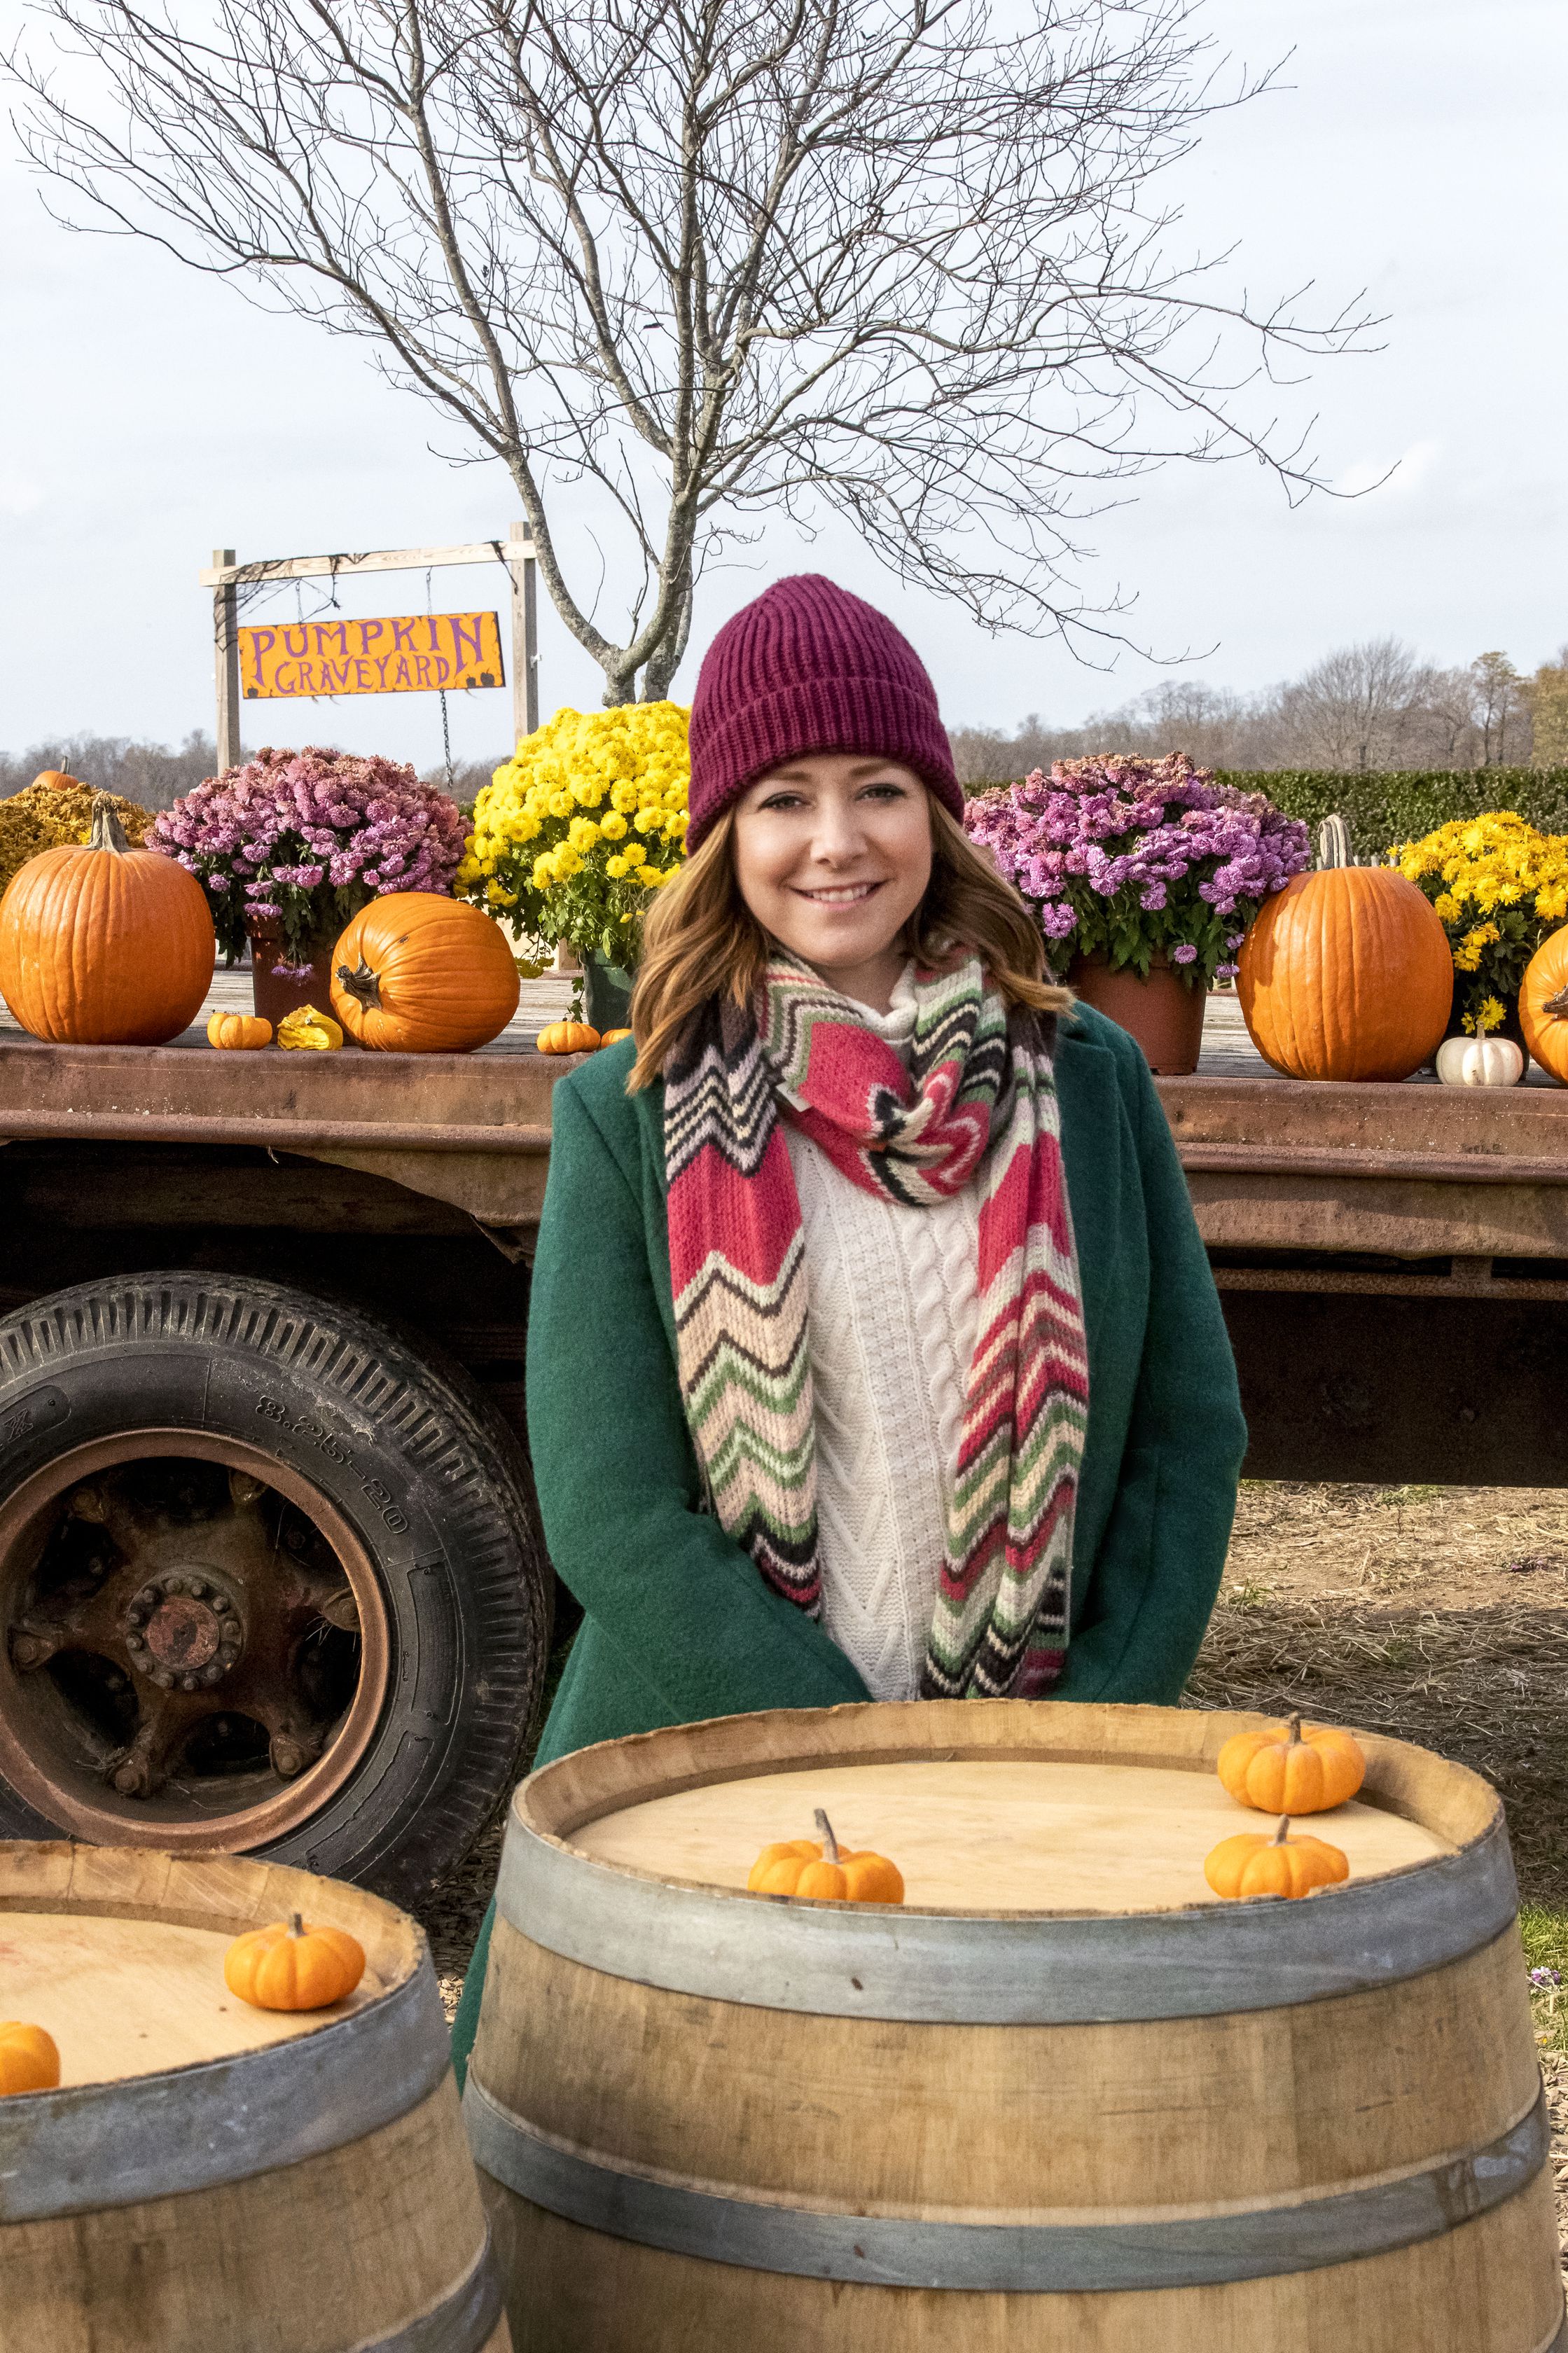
{"x":1364,"y":709}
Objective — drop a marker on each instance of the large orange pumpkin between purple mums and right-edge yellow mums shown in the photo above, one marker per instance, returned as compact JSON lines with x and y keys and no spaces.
{"x":1346,"y":975}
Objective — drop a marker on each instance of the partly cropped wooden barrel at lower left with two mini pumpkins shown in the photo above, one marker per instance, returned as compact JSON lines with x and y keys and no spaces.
{"x":215,"y":2178}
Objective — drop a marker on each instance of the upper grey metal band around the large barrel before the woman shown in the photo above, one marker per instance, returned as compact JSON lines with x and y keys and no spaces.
{"x":959,"y":1971}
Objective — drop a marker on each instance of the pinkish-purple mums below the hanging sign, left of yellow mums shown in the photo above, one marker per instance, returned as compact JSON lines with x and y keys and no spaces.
{"x":295,"y":844}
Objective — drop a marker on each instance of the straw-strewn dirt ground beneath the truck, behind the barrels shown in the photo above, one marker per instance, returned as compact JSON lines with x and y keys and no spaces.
{"x":1437,"y":1615}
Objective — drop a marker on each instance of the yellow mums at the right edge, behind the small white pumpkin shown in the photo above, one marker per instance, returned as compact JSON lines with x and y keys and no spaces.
{"x":1499,"y":891}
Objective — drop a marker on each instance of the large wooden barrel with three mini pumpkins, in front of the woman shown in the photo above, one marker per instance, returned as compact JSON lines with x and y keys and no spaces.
{"x":1061,"y":2100}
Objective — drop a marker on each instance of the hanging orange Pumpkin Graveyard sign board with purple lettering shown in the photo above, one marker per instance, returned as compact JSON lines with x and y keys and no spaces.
{"x":411,"y":655}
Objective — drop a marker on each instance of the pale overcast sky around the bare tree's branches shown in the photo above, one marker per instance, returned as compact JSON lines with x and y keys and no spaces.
{"x":1416,"y":154}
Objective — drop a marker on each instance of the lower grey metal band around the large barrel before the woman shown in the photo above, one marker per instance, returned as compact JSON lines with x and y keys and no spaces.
{"x":1016,"y":2260}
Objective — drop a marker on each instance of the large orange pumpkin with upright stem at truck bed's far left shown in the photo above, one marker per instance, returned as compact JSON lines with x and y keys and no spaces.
{"x":105,"y":945}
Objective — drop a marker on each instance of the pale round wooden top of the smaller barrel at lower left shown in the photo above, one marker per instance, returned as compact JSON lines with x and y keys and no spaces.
{"x":138,"y":1997}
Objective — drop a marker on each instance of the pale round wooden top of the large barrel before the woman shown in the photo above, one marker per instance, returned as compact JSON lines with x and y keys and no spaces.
{"x":990,"y":1834}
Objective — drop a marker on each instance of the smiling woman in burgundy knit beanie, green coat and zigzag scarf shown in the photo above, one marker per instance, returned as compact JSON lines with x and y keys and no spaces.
{"x":872,"y":1347}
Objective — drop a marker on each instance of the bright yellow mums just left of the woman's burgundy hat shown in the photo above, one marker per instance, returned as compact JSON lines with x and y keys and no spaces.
{"x":580,"y":829}
